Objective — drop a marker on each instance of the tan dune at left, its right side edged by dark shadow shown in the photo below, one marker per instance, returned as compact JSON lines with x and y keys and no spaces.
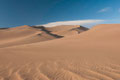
{"x":22,"y":35}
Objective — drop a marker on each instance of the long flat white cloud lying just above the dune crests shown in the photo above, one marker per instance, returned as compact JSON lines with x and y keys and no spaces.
{"x":75,"y":22}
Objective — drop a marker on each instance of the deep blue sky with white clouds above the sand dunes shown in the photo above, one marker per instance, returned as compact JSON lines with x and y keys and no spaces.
{"x":54,"y":12}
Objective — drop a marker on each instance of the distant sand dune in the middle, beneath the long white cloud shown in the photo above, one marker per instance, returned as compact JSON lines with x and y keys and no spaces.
{"x":67,"y":30}
